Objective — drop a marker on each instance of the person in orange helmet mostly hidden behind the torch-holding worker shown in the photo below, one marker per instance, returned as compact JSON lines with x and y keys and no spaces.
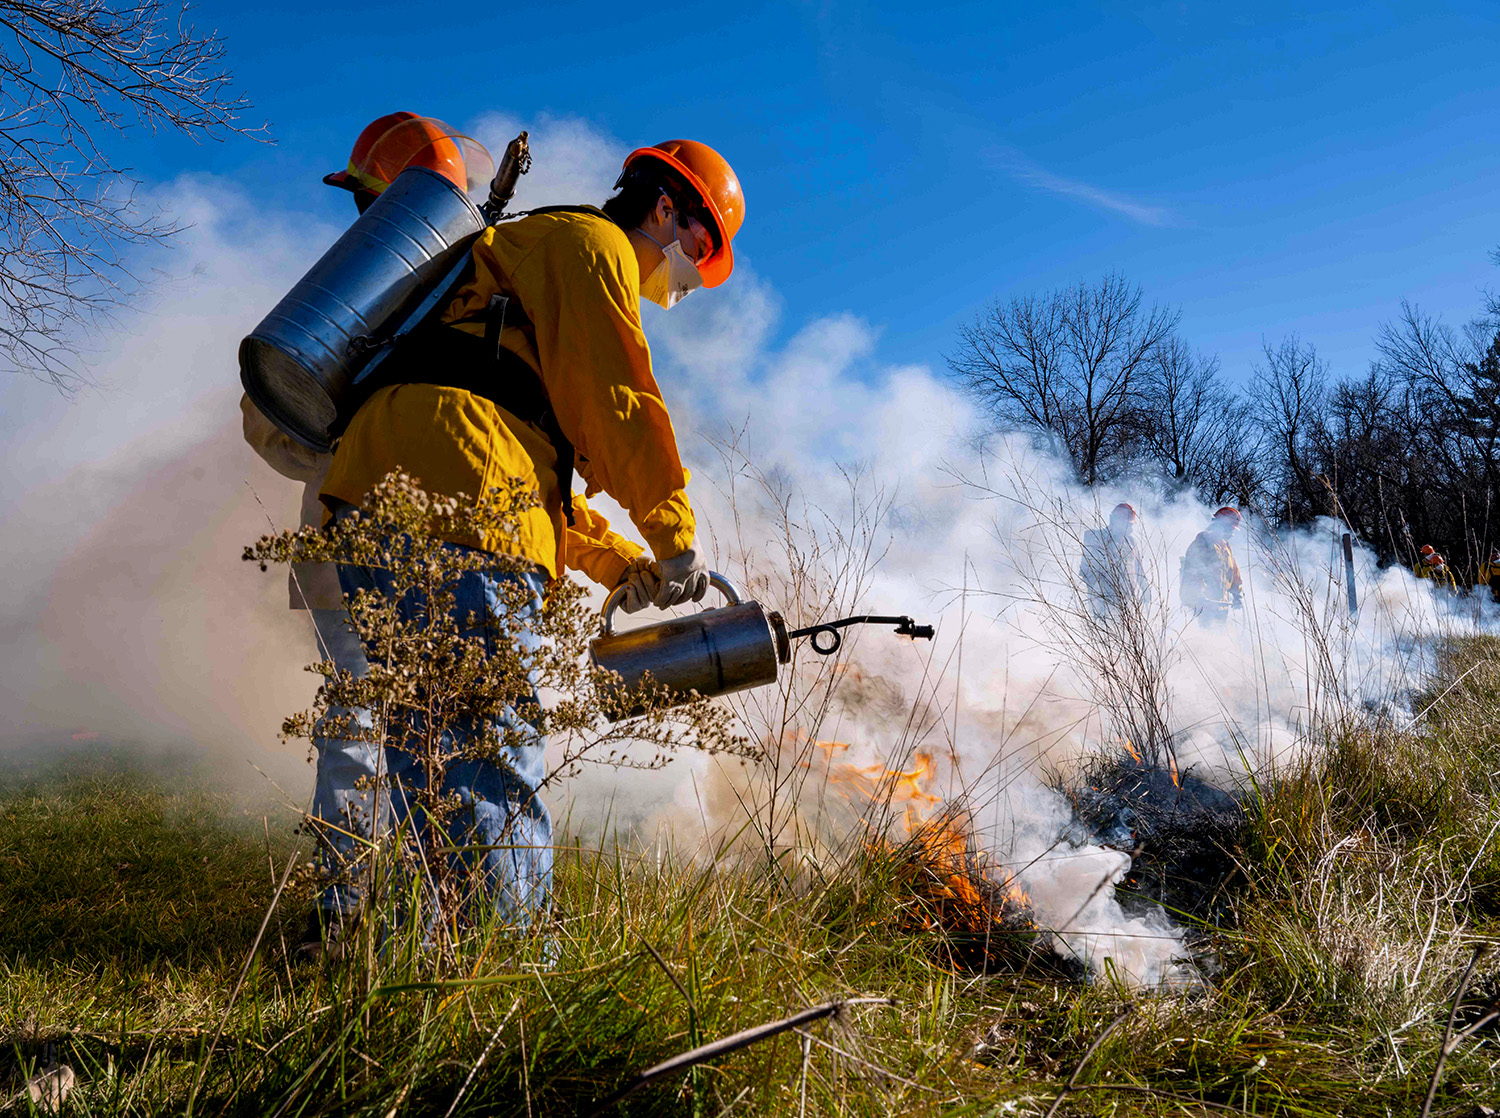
{"x":343,"y":799}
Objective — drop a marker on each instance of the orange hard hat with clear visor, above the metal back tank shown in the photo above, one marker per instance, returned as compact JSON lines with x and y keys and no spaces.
{"x":400,"y":140}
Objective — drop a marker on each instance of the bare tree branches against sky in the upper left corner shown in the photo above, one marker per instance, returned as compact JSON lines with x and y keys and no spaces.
{"x":73,"y":76}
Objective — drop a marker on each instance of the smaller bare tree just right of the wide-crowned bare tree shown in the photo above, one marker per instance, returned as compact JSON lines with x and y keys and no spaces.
{"x":1196,"y":427}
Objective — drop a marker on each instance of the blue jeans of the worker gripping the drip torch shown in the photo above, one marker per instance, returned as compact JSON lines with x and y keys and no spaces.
{"x":502,"y":817}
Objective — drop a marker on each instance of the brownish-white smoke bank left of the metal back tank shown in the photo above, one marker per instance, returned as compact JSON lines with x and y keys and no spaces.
{"x":130,"y":618}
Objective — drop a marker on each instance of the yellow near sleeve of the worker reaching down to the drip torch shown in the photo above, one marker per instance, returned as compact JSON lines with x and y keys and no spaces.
{"x":583,"y":296}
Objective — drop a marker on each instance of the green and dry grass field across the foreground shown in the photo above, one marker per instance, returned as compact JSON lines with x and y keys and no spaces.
{"x":131,"y":895}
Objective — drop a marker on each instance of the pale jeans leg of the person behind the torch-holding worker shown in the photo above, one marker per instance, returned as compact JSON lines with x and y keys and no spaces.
{"x":343,"y":813}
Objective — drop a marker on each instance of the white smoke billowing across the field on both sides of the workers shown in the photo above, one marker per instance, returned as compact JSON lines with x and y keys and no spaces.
{"x":131,"y":618}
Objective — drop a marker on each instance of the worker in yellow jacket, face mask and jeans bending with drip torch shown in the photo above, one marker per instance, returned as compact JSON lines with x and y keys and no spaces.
{"x":538,"y":370}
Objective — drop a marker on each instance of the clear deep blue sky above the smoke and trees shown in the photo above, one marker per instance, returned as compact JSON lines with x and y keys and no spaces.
{"x":1283,"y":170}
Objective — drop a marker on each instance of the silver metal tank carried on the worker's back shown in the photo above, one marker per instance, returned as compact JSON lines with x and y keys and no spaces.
{"x":298,"y":365}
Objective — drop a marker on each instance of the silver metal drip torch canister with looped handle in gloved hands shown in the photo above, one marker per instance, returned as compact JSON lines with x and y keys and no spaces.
{"x":713,"y":652}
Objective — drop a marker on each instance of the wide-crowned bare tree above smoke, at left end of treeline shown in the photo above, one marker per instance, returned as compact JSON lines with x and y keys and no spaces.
{"x":1067,"y":365}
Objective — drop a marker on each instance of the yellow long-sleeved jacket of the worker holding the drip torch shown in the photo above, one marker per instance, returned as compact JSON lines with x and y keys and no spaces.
{"x":580,"y":284}
